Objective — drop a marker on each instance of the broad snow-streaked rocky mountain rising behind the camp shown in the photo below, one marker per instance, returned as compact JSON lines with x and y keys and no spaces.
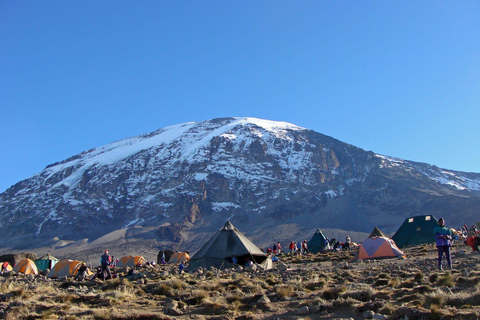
{"x":259,"y":173}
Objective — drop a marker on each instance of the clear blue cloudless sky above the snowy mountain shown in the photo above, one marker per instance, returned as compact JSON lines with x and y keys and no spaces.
{"x":400,"y":78}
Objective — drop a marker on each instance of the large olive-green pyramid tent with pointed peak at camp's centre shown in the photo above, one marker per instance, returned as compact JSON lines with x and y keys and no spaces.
{"x":228,"y":243}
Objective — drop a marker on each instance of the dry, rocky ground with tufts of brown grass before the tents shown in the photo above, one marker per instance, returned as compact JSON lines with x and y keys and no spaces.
{"x":321,"y":286}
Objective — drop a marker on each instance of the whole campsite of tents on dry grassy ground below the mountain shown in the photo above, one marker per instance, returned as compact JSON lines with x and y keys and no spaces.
{"x":377,"y":280}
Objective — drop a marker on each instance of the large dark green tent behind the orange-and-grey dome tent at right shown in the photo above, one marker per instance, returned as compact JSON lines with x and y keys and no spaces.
{"x":415,"y":231}
